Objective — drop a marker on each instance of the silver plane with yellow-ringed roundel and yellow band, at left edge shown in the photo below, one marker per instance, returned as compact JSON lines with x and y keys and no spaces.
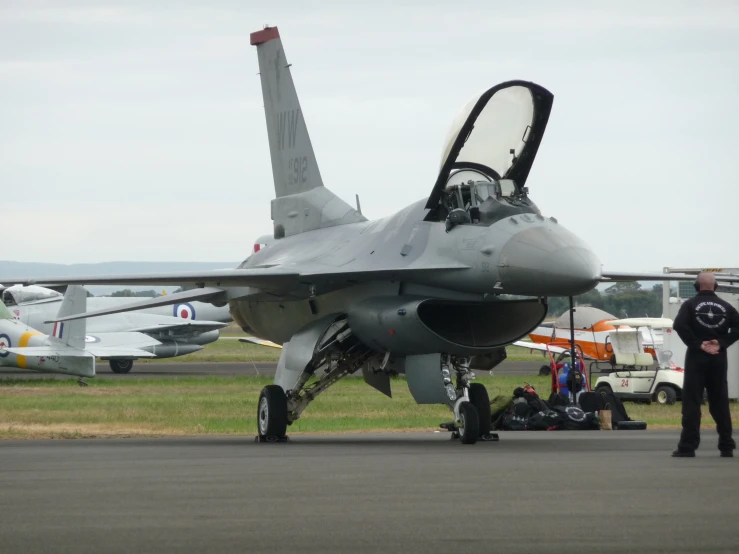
{"x":68,"y":350}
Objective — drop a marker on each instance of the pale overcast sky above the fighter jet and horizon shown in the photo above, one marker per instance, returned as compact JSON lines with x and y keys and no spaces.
{"x":135,"y":130}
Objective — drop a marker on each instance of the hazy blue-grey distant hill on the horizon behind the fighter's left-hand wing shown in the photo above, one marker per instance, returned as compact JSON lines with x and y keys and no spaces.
{"x":45,"y":270}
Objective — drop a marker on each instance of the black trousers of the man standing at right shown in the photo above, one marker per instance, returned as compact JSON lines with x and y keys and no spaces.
{"x":705,"y":371}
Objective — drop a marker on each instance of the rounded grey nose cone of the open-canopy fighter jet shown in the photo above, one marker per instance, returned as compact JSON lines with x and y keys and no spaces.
{"x":548,"y":261}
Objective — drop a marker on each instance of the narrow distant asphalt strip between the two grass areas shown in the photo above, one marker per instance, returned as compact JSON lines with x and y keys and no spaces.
{"x":196,"y":369}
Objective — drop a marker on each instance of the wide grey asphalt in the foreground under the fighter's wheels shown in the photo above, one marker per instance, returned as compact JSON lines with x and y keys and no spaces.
{"x":558,"y":492}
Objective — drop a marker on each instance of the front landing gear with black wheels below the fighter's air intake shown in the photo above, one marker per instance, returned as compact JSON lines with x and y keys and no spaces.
{"x":469,"y":402}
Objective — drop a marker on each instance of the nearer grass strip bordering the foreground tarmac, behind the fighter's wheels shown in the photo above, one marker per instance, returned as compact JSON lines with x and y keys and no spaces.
{"x":49,"y":408}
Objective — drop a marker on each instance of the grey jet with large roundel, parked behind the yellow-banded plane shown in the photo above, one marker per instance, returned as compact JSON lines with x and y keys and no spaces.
{"x":180,"y":329}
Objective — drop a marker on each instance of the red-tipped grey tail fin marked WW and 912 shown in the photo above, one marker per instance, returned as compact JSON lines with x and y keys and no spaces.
{"x":294,"y":165}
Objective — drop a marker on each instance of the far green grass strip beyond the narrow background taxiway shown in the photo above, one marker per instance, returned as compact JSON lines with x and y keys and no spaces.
{"x":230,"y":350}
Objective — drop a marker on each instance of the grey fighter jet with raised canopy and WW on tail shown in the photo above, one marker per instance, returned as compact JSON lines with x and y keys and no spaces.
{"x":424,"y":292}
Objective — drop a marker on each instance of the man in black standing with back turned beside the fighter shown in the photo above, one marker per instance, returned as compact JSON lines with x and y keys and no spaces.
{"x":707,"y":325}
